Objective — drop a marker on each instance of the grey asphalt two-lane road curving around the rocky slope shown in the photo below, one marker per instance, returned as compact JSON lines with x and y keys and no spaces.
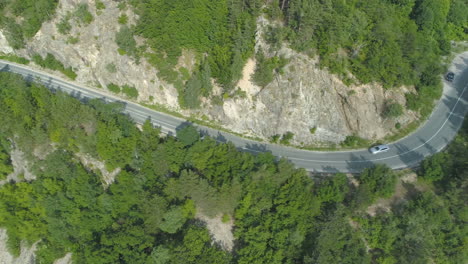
{"x":432,"y":137}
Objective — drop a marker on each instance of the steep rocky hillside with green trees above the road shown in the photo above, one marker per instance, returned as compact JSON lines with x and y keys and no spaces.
{"x":259,"y":68}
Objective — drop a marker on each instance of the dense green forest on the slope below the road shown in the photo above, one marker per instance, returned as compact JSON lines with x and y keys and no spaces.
{"x":147,"y":215}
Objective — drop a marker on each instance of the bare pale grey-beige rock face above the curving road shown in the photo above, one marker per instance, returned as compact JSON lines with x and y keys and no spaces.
{"x":302,"y":98}
